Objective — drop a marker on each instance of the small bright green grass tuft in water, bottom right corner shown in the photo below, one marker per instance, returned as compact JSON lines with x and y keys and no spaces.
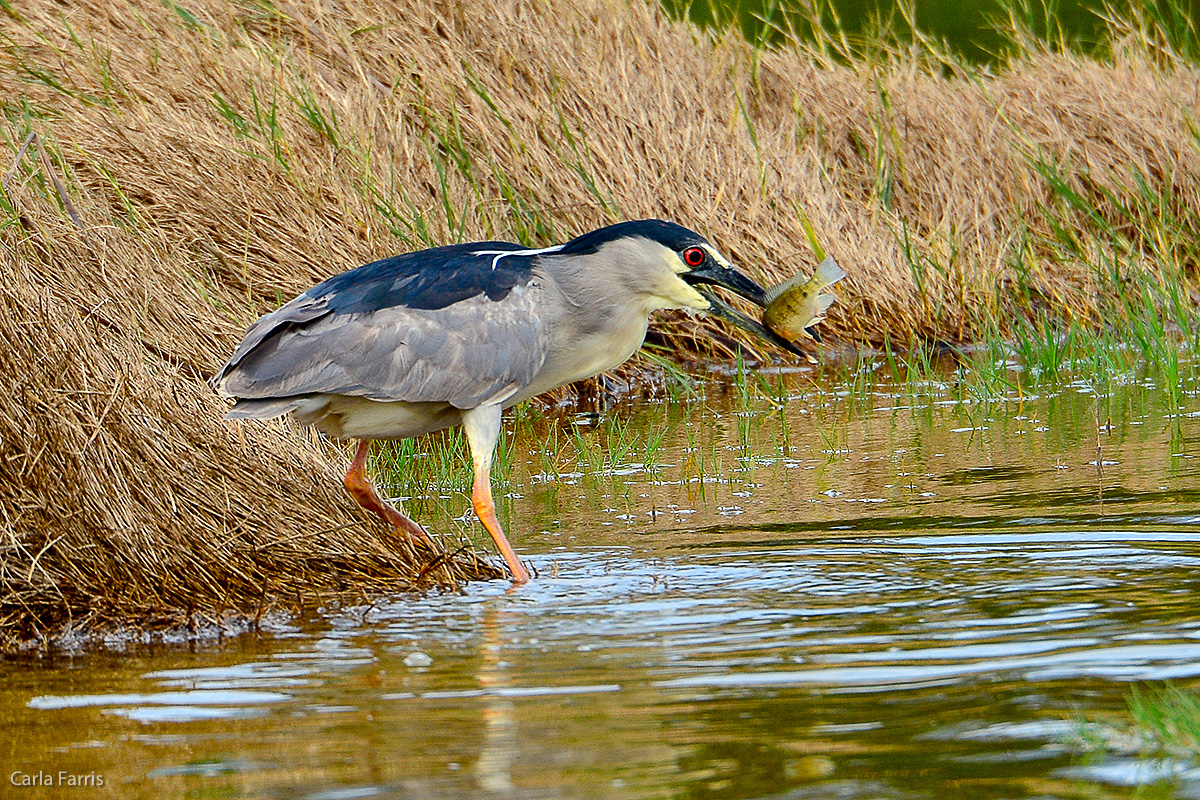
{"x":1161,"y":721}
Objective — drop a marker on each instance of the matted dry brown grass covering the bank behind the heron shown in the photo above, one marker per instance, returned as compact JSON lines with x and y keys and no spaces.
{"x":223,"y":157}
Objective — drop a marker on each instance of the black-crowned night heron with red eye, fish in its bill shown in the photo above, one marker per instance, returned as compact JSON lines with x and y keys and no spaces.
{"x":455,"y":335}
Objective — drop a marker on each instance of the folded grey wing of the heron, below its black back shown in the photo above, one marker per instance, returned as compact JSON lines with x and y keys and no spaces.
{"x":465,"y":354}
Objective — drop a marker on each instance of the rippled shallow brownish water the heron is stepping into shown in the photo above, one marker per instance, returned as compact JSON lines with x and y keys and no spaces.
{"x":845,"y":594}
